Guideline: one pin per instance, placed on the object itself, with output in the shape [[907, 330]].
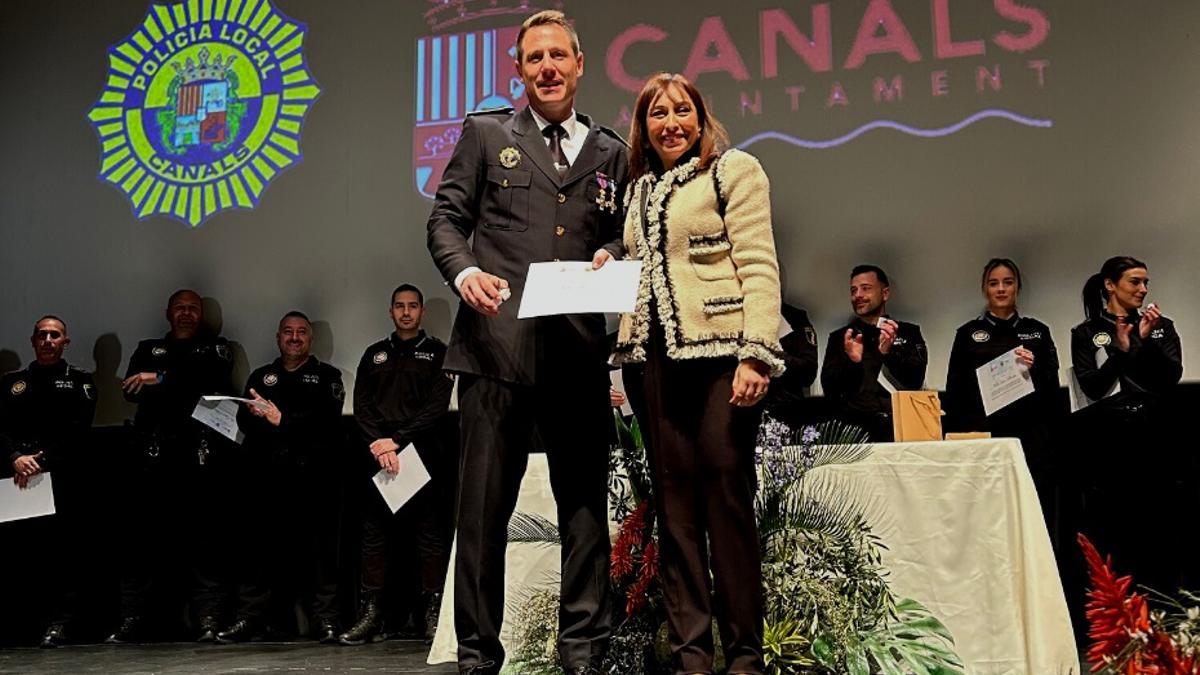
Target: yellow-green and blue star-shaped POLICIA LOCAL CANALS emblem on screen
[[203, 106]]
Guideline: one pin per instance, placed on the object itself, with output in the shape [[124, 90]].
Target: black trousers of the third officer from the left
[[290, 545]]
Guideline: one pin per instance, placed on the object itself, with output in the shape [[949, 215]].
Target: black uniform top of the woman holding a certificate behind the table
[[982, 341]]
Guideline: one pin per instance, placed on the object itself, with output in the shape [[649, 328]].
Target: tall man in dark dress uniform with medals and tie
[[543, 184]]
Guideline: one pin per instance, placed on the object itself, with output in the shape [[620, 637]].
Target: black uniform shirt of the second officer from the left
[[188, 369]]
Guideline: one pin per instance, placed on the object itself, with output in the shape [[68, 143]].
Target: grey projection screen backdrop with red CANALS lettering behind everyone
[[923, 136]]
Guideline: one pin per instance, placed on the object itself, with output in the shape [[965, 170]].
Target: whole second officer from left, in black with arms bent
[[172, 489]]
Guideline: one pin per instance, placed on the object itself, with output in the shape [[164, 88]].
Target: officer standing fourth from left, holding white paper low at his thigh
[[401, 396]]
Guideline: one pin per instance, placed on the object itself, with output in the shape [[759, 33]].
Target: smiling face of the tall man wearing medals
[[550, 69]]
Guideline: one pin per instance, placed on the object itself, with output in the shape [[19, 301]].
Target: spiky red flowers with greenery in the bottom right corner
[[1130, 637]]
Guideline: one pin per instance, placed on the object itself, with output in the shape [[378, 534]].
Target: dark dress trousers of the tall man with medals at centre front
[[499, 425]]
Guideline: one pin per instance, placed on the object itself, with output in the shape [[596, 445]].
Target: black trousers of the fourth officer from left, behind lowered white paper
[[428, 519]]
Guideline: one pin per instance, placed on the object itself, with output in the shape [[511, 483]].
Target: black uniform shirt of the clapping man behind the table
[[856, 386]]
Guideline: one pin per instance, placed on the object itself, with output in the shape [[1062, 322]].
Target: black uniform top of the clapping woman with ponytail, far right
[[1151, 366]]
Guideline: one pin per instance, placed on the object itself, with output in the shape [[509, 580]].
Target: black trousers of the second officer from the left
[[171, 537]]
